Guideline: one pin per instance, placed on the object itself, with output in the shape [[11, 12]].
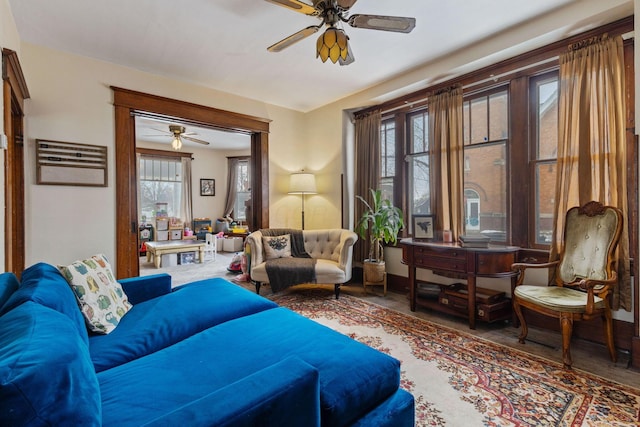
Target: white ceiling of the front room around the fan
[[222, 44]]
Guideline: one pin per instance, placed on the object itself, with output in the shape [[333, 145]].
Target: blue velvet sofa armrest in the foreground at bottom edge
[[284, 394]]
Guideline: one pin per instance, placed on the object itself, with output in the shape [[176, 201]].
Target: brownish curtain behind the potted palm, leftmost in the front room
[[367, 170]]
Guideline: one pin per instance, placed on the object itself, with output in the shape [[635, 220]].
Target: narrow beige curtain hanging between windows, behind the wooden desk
[[446, 139]]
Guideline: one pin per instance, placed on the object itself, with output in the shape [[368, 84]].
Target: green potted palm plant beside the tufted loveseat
[[380, 223]]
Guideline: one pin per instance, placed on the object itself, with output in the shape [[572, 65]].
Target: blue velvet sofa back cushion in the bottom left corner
[[46, 376]]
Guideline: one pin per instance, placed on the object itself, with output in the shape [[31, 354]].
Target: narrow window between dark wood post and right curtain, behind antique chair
[[544, 92]]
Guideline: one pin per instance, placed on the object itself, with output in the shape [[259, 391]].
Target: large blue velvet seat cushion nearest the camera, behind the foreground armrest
[[354, 378]]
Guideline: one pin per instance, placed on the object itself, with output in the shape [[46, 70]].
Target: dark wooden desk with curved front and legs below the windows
[[468, 263]]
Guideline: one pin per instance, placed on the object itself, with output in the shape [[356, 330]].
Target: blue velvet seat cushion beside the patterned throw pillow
[[160, 322]]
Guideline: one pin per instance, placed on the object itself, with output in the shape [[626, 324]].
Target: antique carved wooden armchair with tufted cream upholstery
[[585, 275]]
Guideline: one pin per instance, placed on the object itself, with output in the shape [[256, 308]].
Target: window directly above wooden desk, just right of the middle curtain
[[486, 134]]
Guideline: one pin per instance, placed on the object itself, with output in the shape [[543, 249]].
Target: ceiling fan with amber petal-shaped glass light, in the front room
[[333, 43]]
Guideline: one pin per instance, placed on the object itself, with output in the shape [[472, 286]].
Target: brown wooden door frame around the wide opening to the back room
[[128, 104]]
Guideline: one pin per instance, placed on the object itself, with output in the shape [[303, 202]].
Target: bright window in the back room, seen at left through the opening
[[160, 182]]
